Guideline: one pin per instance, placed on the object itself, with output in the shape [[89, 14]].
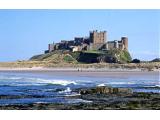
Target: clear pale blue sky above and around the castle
[[24, 33]]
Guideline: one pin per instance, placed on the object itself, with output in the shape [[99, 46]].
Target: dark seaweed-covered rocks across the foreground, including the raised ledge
[[102, 98]]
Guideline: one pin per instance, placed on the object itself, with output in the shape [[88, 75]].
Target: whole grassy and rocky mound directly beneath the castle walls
[[110, 56]]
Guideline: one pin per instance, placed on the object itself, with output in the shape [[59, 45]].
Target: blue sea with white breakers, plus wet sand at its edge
[[27, 87]]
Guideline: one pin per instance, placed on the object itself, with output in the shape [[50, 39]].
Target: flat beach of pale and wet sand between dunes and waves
[[116, 73]]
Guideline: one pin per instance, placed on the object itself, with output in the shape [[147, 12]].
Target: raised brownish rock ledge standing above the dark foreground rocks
[[106, 90]]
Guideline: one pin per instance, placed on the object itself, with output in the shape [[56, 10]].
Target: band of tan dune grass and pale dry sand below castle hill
[[94, 67]]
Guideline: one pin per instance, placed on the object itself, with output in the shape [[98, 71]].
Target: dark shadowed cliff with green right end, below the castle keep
[[111, 56]]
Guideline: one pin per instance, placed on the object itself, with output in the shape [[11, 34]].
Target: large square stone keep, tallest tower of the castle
[[98, 37]]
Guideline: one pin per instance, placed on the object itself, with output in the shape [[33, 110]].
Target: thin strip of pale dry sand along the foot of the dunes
[[73, 69]]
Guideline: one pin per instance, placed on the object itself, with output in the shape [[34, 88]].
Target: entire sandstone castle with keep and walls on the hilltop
[[95, 41]]
